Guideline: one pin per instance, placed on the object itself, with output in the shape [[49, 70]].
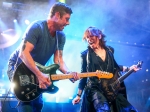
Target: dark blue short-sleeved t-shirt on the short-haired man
[[44, 44]]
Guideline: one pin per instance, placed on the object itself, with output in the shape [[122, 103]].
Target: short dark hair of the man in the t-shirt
[[62, 8]]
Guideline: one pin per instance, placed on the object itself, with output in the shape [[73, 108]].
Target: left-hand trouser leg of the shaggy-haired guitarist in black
[[94, 101]]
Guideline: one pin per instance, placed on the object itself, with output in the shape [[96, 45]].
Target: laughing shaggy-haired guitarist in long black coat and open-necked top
[[102, 95]]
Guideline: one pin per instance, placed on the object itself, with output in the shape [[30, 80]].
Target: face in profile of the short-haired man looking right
[[63, 21]]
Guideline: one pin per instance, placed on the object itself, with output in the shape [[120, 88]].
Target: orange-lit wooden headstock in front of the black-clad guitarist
[[101, 74]]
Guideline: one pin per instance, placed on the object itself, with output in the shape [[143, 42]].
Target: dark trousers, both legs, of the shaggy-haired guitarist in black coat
[[95, 101]]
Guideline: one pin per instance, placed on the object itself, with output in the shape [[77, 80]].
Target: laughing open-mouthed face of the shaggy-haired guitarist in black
[[93, 41]]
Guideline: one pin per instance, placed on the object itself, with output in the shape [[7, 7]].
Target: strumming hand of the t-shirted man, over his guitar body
[[44, 81]]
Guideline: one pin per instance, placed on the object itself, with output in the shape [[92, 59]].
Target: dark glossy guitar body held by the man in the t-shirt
[[26, 85]]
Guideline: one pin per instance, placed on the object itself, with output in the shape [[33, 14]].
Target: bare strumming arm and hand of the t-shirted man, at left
[[26, 57]]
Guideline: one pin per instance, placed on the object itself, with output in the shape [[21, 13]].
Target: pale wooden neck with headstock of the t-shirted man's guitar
[[81, 75]]
